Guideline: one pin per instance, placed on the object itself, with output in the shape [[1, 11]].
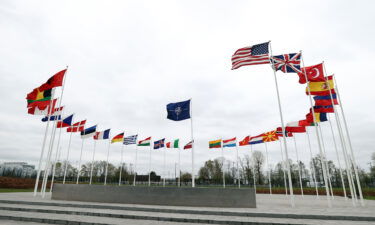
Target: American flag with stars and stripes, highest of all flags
[[253, 55]]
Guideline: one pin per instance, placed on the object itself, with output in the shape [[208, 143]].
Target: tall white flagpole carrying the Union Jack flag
[[317, 136]]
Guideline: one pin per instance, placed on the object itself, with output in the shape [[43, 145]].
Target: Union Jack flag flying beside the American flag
[[288, 63]]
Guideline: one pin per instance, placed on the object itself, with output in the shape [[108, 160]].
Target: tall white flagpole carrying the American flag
[[283, 130]]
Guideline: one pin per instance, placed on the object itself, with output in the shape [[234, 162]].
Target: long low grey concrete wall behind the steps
[[173, 196]]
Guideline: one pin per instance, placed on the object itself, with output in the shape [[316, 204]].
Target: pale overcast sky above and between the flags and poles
[[128, 59]]
